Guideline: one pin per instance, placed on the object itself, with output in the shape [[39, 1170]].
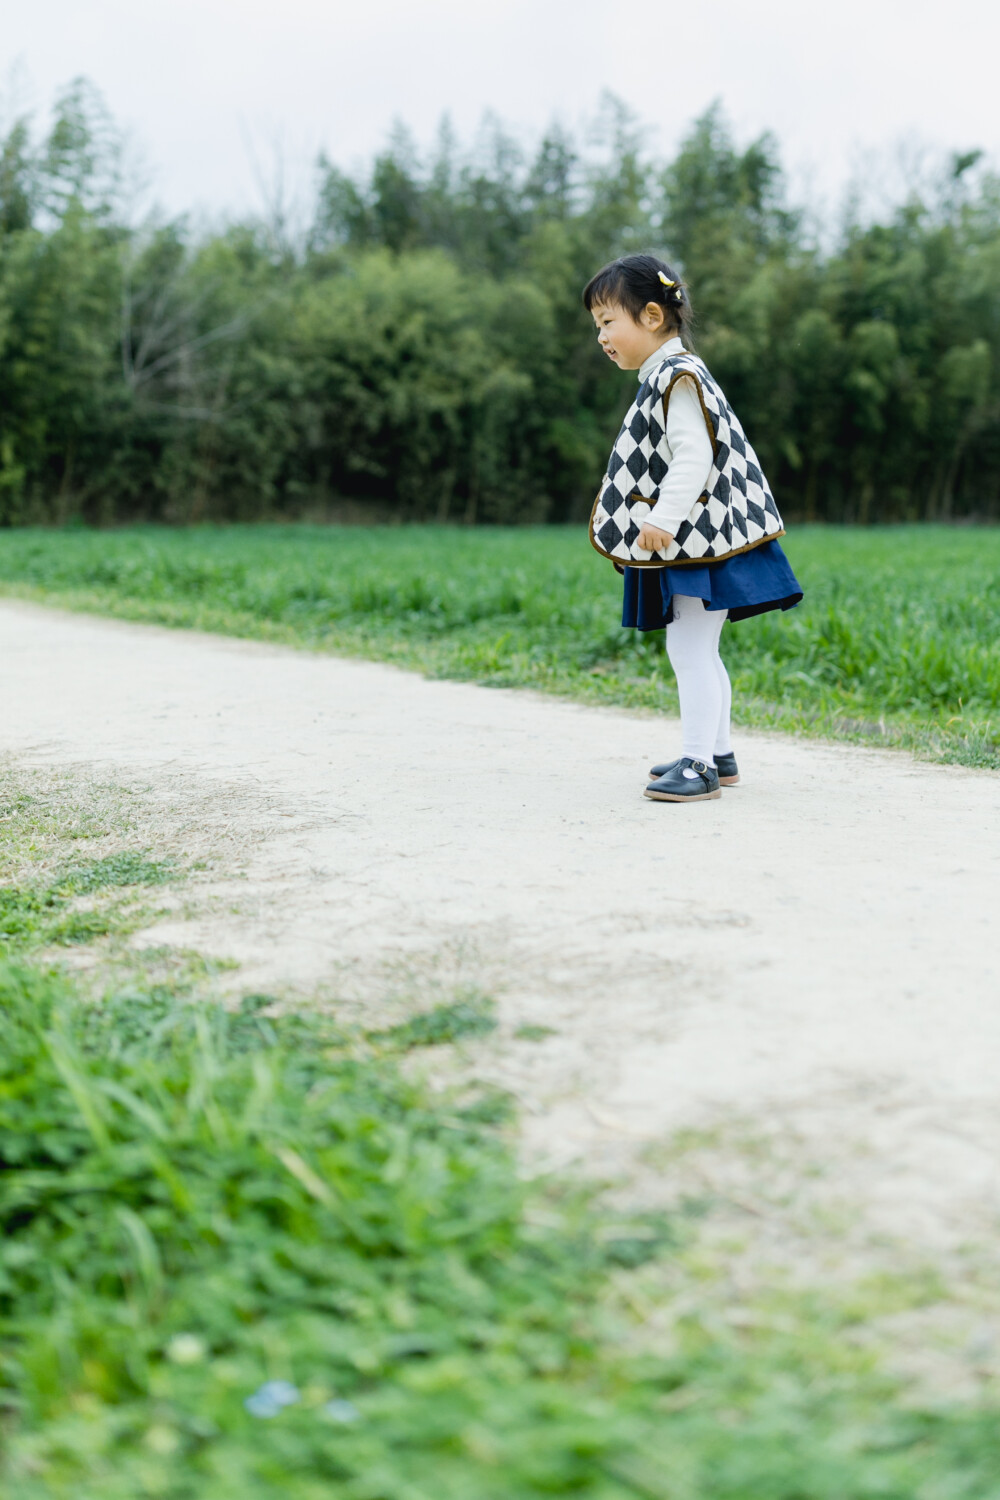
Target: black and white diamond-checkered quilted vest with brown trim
[[735, 511]]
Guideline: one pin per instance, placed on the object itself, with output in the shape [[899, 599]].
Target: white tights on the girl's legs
[[702, 679]]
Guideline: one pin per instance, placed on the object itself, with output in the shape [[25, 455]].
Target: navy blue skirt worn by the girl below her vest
[[749, 584]]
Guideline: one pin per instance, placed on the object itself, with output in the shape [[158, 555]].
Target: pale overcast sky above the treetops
[[208, 86]]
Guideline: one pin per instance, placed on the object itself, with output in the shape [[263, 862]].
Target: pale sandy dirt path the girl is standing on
[[810, 964]]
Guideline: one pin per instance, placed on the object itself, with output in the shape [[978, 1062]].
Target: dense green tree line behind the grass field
[[419, 350]]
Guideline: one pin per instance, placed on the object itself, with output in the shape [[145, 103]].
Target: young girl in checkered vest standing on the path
[[684, 514]]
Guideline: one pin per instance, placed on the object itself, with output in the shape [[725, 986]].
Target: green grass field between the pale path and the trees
[[897, 641]]
